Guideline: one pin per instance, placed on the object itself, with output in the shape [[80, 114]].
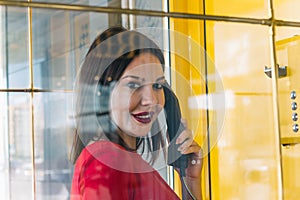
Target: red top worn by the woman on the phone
[[104, 170]]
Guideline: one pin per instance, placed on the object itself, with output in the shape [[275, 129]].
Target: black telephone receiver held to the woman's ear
[[175, 127]]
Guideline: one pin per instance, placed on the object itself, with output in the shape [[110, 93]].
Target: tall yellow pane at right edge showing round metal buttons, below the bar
[[288, 48]]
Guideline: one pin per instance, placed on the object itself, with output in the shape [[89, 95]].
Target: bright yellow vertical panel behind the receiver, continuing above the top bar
[[187, 77]]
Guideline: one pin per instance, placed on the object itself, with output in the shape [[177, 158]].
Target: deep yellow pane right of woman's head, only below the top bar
[[188, 82]]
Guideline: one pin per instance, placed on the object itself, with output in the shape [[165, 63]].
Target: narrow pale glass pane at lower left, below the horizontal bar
[[19, 131]]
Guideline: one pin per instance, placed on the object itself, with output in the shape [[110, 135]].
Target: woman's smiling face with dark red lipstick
[[138, 96]]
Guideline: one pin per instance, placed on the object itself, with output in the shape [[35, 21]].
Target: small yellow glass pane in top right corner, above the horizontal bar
[[287, 9]]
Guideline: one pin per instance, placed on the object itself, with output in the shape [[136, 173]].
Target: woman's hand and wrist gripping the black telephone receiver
[[189, 146]]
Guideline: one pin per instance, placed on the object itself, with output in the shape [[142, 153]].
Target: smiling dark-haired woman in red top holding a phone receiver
[[120, 98]]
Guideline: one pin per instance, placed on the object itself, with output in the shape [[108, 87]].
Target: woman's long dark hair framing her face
[[106, 60]]
